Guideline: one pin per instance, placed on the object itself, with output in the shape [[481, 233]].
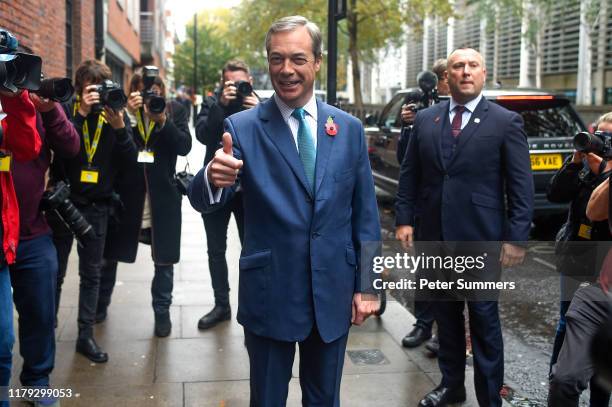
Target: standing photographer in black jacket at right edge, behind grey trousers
[[579, 258]]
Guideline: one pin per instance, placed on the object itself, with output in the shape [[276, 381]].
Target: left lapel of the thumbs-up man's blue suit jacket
[[278, 131]]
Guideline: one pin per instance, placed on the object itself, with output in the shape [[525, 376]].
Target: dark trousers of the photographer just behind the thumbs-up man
[[216, 224]]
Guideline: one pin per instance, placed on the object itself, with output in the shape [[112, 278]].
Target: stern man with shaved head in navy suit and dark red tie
[[467, 176]]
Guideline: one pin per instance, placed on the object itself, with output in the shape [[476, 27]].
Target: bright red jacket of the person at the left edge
[[21, 139]]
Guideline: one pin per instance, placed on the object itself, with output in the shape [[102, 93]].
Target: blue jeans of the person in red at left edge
[[7, 338]]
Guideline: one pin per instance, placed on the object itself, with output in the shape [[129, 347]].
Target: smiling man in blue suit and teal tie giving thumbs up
[[310, 211]]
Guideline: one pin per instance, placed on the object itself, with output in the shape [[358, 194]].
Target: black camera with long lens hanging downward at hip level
[[57, 199]]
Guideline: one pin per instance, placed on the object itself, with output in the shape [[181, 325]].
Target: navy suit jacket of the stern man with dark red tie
[[485, 193]]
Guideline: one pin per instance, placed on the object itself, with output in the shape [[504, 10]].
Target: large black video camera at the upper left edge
[[18, 70]]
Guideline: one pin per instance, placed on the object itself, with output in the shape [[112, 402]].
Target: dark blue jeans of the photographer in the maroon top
[[34, 277]]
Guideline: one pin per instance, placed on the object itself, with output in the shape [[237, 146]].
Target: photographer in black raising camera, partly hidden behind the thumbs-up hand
[[209, 129]]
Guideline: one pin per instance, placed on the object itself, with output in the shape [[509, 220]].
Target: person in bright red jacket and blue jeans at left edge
[[20, 141]]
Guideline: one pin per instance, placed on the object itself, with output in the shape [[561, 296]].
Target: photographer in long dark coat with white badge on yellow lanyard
[[150, 196]]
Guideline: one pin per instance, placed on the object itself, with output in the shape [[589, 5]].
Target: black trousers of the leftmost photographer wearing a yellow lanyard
[[90, 264]]
